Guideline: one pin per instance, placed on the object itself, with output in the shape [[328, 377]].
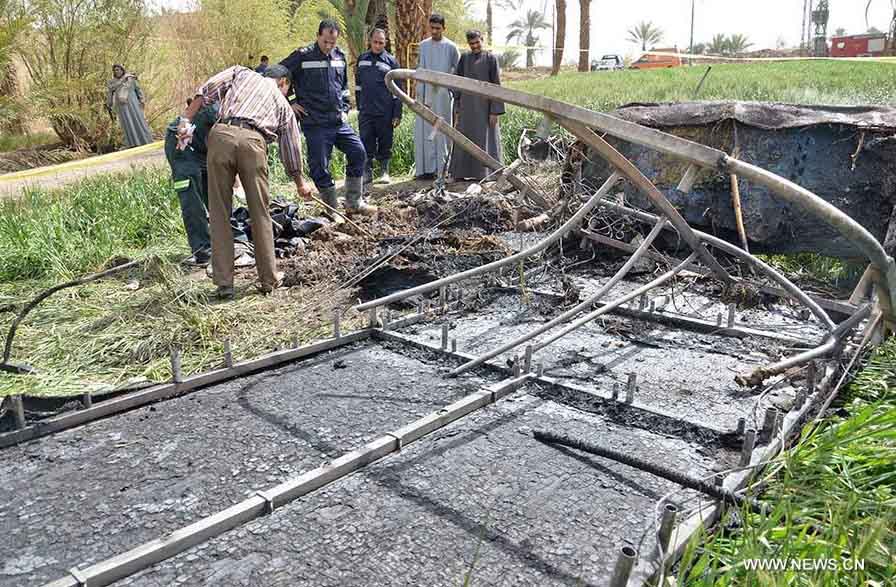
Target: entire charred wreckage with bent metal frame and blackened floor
[[683, 404]]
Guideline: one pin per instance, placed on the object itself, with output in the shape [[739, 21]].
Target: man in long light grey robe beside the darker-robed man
[[437, 54]]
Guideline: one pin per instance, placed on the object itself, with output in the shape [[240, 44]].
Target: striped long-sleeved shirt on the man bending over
[[243, 93]]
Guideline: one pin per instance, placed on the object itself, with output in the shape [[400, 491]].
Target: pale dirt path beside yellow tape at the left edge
[[55, 176]]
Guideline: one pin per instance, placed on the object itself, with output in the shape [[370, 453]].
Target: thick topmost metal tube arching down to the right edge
[[677, 147]]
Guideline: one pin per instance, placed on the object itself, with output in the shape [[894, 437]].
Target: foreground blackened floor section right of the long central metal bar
[[480, 498]]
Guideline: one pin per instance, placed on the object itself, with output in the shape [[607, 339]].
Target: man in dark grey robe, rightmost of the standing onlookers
[[477, 117]]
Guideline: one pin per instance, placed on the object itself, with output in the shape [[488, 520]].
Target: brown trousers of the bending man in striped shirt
[[235, 151]]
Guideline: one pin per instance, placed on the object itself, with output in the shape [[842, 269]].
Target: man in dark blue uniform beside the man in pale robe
[[380, 111]]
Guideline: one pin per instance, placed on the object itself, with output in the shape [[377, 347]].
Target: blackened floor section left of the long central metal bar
[[89, 493]]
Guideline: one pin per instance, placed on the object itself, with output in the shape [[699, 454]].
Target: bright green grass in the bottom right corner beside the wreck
[[833, 497]]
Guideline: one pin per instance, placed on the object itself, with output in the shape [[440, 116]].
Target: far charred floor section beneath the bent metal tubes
[[686, 374]]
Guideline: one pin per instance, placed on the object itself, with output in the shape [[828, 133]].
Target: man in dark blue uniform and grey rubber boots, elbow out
[[320, 100]]
